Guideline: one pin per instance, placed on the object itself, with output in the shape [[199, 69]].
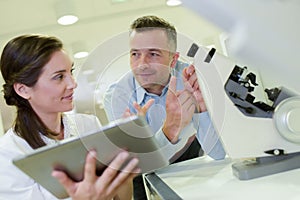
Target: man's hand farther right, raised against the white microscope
[[191, 84]]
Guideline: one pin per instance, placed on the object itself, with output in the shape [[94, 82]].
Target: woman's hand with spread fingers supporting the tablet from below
[[103, 187]]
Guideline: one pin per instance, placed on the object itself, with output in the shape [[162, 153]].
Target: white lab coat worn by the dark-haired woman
[[16, 185]]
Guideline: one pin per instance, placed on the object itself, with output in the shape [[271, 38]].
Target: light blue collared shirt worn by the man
[[125, 91]]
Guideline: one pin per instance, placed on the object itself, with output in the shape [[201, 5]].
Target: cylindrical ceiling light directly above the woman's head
[[65, 12]]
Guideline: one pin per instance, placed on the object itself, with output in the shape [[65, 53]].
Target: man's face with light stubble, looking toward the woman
[[151, 59]]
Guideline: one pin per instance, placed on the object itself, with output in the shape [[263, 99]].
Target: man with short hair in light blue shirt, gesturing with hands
[[166, 90]]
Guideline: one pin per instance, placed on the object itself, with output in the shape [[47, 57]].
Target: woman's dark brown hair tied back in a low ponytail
[[22, 61]]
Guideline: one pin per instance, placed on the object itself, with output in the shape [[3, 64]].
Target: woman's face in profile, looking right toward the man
[[54, 89]]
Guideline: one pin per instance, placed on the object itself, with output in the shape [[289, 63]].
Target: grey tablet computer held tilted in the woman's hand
[[132, 134]]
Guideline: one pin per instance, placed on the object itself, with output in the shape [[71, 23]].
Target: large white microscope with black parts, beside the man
[[253, 94]]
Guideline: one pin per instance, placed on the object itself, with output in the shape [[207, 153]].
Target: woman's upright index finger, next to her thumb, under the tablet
[[90, 167]]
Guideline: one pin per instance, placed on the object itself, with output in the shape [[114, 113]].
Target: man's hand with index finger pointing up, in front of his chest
[[180, 108]]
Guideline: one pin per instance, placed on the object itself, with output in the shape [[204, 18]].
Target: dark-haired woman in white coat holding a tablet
[[39, 82]]
